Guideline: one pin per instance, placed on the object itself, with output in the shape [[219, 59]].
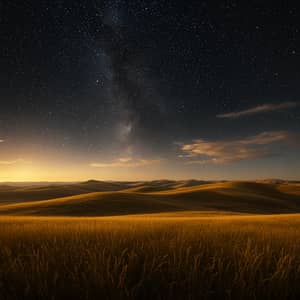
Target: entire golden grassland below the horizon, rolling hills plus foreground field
[[157, 240]]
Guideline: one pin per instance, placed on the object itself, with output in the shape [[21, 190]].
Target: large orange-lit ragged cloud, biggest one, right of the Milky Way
[[227, 151]]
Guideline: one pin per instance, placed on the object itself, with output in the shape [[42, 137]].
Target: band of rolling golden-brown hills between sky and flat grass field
[[95, 198]]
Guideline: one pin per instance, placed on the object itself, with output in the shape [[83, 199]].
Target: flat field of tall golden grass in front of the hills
[[168, 256]]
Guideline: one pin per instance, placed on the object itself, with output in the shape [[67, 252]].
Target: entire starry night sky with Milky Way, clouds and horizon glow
[[140, 90]]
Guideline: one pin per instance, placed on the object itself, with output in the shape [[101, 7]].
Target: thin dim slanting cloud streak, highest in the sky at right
[[258, 110]]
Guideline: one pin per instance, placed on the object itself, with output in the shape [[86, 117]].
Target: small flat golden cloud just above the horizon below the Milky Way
[[126, 162]]
